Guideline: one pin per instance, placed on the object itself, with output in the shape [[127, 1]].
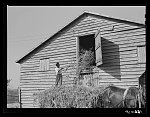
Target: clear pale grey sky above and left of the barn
[[28, 26]]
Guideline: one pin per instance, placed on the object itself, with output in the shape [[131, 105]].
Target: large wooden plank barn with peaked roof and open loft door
[[119, 50]]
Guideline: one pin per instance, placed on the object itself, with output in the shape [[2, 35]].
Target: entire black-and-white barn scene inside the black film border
[[77, 57]]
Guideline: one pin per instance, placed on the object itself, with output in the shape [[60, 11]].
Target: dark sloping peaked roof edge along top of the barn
[[85, 14]]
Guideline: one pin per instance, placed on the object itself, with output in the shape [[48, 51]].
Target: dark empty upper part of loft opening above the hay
[[87, 44]]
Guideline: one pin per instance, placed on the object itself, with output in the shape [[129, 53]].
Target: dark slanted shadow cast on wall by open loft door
[[111, 58]]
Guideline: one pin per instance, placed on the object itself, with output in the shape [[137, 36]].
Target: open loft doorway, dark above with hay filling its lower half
[[86, 51]]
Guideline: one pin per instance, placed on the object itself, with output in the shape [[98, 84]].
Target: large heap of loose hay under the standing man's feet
[[75, 96]]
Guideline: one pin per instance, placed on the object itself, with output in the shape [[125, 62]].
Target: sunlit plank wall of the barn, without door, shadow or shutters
[[119, 50]]
